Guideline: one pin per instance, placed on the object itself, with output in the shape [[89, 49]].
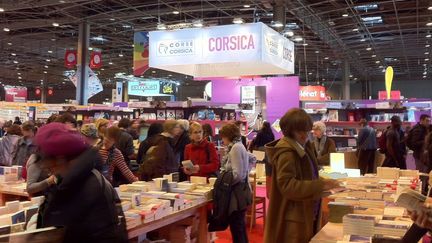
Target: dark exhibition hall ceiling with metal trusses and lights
[[370, 35]]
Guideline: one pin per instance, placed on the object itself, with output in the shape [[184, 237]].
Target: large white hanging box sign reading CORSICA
[[221, 51]]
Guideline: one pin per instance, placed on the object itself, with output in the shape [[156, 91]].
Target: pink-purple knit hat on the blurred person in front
[[56, 140]]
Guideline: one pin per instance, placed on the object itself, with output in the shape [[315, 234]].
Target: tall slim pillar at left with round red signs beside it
[[82, 63]]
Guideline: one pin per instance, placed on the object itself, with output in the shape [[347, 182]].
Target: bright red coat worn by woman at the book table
[[205, 156]]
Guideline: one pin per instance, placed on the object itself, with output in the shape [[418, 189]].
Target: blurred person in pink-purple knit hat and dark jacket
[[83, 201]]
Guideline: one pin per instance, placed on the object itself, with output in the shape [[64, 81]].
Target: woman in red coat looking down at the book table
[[202, 154]]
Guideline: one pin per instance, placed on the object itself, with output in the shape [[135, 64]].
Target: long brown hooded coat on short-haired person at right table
[[293, 195]]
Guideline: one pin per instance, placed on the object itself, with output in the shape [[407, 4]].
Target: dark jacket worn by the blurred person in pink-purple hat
[[85, 204]]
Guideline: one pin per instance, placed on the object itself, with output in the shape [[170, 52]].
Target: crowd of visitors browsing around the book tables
[[76, 166]]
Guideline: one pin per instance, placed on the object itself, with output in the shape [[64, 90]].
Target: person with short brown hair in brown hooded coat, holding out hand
[[295, 197]]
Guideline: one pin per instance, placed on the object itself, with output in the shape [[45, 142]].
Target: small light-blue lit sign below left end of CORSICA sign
[[151, 88]]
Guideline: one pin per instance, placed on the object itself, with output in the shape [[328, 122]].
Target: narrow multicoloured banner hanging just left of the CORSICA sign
[[141, 53]]
